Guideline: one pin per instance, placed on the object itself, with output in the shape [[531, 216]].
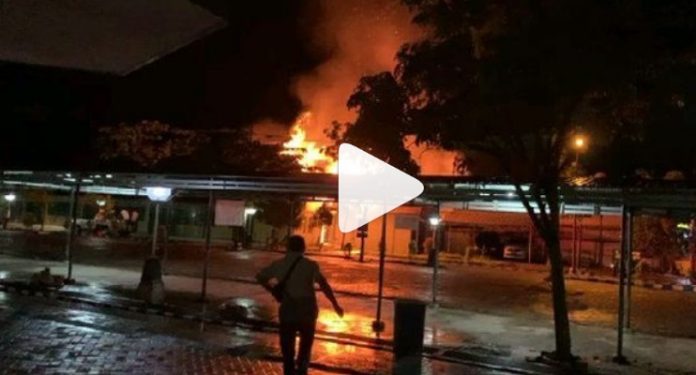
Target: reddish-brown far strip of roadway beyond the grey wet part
[[509, 291]]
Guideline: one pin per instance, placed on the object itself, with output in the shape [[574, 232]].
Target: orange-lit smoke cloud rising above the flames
[[362, 37]]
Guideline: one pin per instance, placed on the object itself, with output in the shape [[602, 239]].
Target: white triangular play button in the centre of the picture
[[369, 188]]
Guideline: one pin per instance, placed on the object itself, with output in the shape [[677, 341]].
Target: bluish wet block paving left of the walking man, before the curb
[[54, 339]]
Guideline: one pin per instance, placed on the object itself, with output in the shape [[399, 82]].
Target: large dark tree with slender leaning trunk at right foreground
[[515, 80]]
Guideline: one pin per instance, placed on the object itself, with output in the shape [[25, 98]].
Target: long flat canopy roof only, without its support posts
[[466, 193]]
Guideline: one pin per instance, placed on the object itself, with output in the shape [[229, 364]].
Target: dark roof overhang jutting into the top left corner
[[105, 36]]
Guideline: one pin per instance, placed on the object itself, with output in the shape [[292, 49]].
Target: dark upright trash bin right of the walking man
[[409, 324]]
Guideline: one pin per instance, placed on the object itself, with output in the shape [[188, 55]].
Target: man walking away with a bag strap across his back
[[291, 281]]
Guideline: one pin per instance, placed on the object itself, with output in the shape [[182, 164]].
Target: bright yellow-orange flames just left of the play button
[[311, 157]]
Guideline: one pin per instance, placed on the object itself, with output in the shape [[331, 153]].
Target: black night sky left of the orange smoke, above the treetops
[[233, 78]]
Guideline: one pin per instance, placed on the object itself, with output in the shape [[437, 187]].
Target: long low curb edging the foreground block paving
[[432, 353]]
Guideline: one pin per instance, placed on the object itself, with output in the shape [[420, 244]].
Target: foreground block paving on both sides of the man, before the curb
[[49, 337]]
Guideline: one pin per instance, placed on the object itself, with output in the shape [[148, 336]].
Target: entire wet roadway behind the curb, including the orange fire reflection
[[502, 316]]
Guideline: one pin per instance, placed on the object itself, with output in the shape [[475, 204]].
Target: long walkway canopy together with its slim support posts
[[660, 197]]
